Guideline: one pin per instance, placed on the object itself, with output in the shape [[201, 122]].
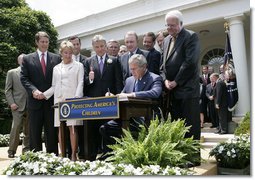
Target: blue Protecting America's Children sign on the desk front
[[89, 108]]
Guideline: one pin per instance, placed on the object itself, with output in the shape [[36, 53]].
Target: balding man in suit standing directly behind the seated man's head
[[131, 41]]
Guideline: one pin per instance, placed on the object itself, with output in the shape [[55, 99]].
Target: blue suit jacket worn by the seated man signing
[[151, 86]]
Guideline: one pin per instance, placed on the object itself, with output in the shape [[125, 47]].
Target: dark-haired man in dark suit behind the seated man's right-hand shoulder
[[154, 57]]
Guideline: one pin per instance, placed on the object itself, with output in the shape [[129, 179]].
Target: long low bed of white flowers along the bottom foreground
[[41, 163]]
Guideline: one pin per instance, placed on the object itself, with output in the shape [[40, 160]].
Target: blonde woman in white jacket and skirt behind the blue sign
[[67, 82]]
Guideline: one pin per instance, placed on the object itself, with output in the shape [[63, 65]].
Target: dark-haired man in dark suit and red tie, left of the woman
[[36, 77]]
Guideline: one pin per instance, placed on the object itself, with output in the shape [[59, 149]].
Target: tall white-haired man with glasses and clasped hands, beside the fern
[[180, 72]]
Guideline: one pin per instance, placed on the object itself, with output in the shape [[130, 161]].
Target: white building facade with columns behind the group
[[205, 17]]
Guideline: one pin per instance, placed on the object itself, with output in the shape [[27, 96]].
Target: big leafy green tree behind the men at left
[[18, 27]]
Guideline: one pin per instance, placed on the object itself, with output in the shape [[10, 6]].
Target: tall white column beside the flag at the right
[[237, 41]]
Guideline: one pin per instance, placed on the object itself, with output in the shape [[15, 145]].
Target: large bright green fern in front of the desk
[[163, 144]]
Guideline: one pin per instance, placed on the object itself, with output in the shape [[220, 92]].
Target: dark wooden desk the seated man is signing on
[[129, 107]]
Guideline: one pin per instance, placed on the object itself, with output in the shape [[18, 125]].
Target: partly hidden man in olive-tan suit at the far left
[[16, 97]]
